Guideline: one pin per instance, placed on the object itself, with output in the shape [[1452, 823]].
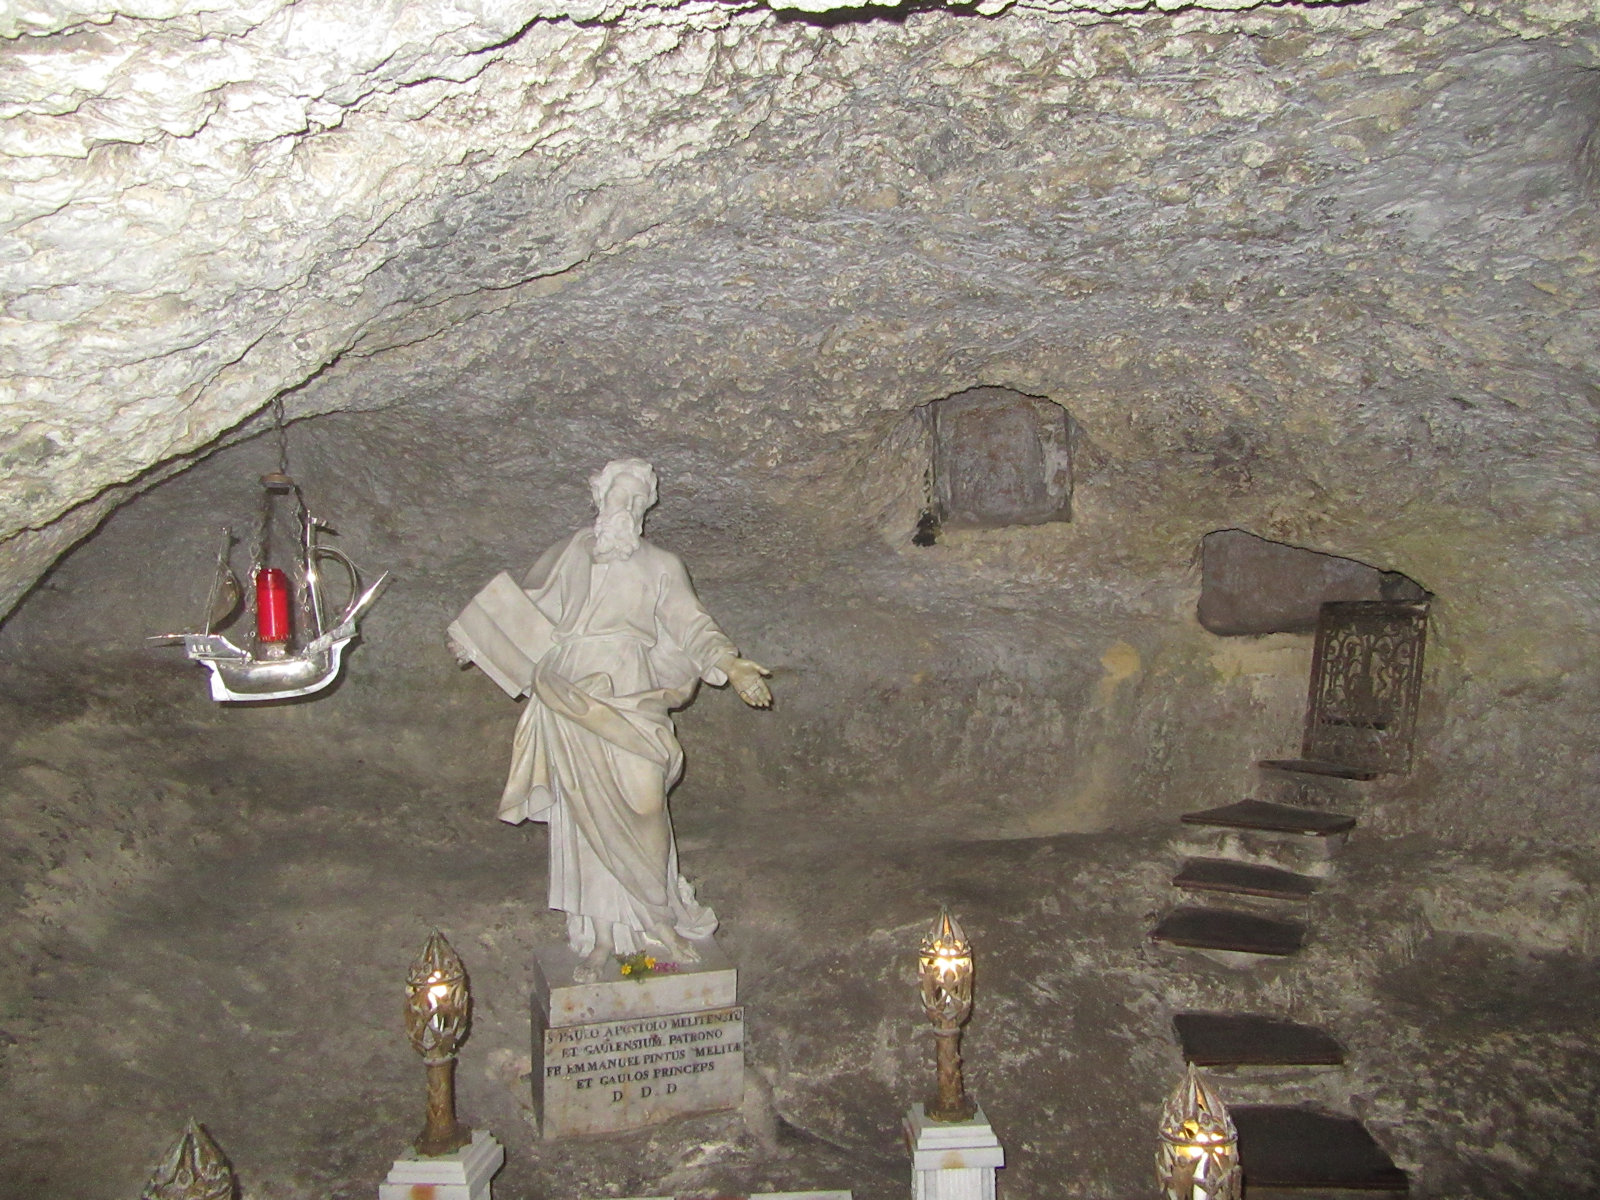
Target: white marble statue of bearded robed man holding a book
[[612, 642]]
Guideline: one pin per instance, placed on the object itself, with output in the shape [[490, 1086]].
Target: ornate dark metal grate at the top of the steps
[[1366, 684]]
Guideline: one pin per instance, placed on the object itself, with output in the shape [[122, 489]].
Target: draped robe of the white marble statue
[[596, 754]]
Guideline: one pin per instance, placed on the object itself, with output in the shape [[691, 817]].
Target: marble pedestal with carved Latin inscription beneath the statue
[[622, 1054]]
